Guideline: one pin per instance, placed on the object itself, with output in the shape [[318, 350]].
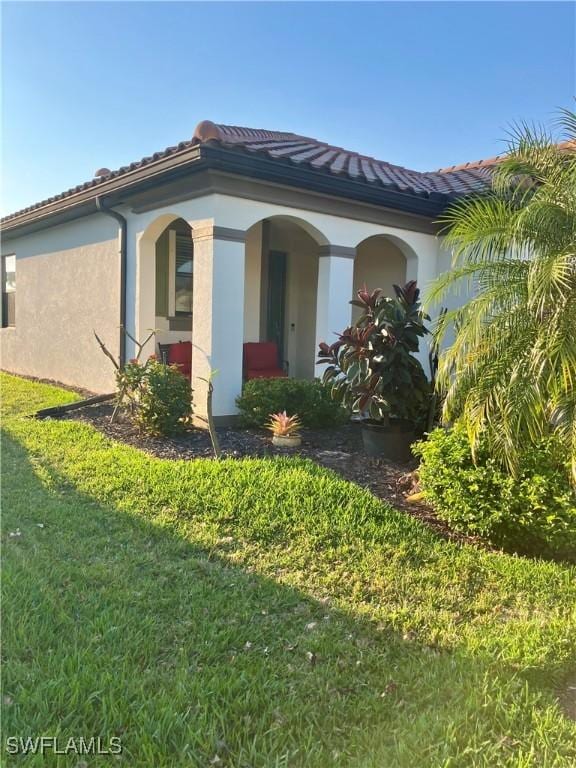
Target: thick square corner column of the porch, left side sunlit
[[218, 317]]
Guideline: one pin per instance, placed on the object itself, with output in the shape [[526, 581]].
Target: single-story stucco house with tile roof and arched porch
[[237, 235]]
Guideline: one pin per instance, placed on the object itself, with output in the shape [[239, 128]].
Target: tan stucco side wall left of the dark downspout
[[67, 285]]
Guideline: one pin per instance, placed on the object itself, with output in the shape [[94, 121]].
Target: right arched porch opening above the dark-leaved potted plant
[[380, 263]]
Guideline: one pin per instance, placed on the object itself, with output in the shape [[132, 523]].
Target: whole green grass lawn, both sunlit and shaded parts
[[261, 613]]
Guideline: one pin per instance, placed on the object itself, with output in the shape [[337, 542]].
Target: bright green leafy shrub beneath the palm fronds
[[532, 514]]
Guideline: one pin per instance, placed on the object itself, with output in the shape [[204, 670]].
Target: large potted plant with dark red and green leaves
[[372, 369]]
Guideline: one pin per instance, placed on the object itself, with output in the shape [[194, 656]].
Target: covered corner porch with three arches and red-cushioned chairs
[[282, 280]]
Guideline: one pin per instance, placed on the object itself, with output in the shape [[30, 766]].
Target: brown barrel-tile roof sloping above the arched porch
[[299, 151]]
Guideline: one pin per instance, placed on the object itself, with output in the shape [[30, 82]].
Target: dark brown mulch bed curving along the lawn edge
[[339, 449]]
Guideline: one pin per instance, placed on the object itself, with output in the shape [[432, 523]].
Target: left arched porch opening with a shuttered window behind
[[165, 277]]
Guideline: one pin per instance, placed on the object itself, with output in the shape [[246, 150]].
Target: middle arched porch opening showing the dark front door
[[281, 280]]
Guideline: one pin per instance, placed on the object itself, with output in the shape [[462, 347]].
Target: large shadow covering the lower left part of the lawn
[[120, 627]]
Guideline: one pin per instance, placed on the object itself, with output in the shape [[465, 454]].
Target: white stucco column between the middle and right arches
[[335, 287]]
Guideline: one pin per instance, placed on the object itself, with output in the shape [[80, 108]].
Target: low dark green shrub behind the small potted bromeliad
[[311, 400]]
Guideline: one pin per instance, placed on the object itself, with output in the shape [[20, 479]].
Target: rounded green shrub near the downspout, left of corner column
[[159, 397]]
